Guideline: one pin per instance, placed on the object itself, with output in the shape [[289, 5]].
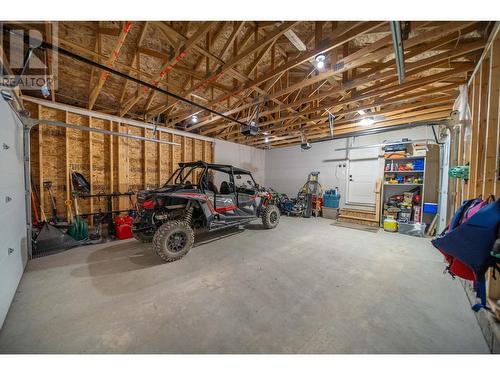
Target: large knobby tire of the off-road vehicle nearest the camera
[[173, 240]]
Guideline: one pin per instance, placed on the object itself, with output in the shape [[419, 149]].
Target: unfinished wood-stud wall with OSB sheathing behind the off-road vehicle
[[110, 163]]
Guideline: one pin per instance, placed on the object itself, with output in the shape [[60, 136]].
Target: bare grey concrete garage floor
[[306, 287]]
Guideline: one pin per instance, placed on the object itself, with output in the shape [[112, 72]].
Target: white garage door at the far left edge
[[13, 237]]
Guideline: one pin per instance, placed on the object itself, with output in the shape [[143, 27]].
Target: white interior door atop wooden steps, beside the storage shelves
[[361, 180]]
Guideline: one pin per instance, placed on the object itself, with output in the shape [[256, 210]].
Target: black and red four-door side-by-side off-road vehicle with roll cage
[[190, 200]]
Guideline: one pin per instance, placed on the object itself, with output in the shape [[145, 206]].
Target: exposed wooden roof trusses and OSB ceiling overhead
[[233, 67]]
